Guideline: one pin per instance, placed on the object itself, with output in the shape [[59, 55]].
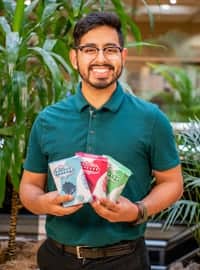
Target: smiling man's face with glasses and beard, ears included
[[99, 68]]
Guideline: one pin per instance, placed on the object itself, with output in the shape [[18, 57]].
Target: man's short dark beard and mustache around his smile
[[100, 83]]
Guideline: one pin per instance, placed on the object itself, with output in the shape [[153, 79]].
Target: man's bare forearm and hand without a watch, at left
[[36, 200]]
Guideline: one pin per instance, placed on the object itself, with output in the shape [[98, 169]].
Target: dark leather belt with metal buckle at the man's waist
[[82, 252]]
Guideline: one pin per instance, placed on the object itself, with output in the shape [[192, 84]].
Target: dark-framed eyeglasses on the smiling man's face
[[92, 51]]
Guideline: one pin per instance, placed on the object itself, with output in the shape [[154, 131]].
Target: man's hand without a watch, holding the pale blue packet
[[51, 203]]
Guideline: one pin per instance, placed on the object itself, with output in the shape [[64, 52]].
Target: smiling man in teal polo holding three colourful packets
[[104, 120]]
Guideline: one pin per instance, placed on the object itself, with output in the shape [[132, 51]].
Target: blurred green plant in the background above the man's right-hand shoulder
[[182, 101]]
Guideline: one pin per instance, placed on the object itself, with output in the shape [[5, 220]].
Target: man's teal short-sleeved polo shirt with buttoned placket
[[132, 131]]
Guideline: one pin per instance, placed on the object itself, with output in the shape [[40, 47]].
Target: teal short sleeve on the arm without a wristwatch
[[36, 160]]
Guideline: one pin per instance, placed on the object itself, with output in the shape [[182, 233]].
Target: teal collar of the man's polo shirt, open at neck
[[112, 104]]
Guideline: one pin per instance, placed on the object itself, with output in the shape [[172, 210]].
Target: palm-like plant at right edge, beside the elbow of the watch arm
[[187, 210]]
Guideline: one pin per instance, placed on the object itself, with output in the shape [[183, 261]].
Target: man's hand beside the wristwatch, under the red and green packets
[[121, 211]]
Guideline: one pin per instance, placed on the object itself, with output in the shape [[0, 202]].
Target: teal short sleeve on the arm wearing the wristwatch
[[164, 154]]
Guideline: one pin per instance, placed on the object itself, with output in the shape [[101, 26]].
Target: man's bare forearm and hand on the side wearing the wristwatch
[[167, 190]]
